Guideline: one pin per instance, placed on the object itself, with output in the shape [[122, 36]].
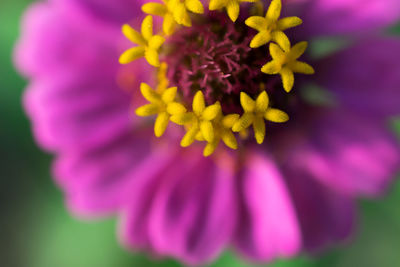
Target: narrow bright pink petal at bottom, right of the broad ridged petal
[[269, 226]]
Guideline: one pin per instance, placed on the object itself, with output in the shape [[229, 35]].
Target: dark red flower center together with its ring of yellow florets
[[224, 74]]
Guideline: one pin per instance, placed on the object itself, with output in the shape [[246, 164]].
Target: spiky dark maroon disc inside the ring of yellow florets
[[213, 56]]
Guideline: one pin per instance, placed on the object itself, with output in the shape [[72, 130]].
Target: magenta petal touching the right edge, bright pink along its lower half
[[353, 154]]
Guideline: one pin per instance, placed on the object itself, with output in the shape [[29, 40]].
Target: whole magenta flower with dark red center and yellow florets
[[294, 192]]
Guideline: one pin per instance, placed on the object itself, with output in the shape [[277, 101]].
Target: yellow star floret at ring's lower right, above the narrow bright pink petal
[[254, 114]]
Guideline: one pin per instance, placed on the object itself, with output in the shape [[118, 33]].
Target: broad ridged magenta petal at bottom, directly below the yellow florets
[[187, 211]]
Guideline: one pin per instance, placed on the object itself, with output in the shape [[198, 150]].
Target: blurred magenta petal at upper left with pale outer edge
[[53, 40]]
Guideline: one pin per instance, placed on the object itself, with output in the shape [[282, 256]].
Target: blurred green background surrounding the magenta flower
[[37, 231]]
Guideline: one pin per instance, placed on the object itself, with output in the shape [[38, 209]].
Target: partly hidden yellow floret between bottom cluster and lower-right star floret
[[222, 131]]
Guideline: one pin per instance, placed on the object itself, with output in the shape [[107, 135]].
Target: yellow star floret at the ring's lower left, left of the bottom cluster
[[161, 104]]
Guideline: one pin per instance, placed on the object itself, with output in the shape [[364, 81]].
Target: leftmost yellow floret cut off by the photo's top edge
[[174, 12]]
